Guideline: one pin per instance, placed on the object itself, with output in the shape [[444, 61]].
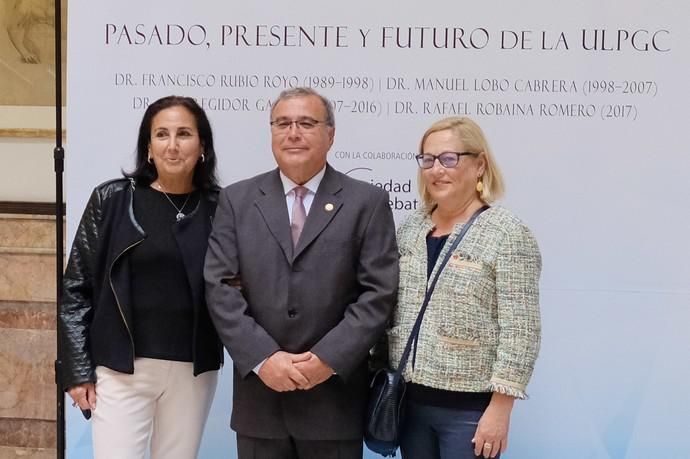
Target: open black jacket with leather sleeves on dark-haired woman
[[95, 316]]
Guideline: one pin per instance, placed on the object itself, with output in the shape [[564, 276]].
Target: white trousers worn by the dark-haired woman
[[161, 405]]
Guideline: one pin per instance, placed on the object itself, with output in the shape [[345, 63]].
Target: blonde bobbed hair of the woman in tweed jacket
[[472, 137]]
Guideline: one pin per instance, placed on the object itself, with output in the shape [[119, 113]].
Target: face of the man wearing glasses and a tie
[[300, 137]]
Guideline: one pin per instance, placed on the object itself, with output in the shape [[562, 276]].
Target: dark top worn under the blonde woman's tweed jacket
[[438, 397]]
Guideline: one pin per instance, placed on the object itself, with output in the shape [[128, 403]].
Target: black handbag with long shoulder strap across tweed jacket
[[386, 407]]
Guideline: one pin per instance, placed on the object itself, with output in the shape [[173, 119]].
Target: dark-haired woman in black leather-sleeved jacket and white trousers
[[140, 351]]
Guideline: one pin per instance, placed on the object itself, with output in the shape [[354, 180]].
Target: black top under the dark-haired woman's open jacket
[[162, 308]]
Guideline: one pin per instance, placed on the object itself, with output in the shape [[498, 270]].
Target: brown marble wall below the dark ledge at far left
[[27, 337]]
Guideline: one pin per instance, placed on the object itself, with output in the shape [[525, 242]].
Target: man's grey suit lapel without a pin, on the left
[[274, 212]]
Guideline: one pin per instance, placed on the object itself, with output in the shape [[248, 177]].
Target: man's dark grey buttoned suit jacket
[[331, 295]]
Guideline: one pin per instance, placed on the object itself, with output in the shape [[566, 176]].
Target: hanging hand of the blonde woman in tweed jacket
[[491, 436]]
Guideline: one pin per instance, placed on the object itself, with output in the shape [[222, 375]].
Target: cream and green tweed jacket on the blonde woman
[[481, 330]]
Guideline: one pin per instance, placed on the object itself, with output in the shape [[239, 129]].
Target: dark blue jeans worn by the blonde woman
[[431, 432]]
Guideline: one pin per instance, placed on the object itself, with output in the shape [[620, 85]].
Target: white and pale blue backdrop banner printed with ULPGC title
[[585, 105]]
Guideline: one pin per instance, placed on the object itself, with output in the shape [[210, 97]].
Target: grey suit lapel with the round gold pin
[[326, 204]]
